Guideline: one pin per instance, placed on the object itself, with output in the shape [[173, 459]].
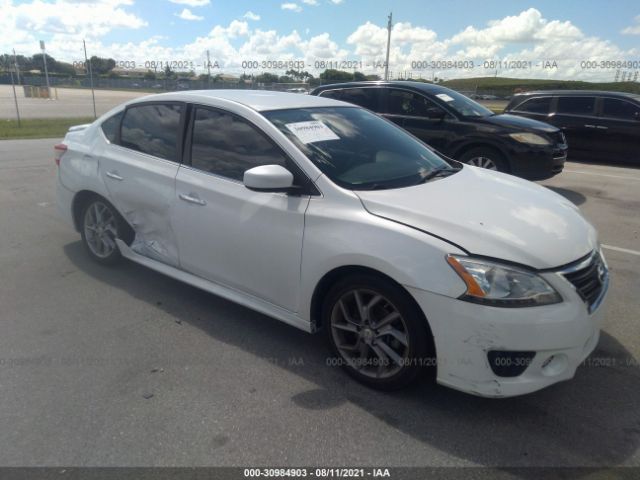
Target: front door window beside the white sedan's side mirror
[[227, 145]]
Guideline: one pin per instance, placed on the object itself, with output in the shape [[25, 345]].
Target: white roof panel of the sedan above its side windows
[[259, 100]]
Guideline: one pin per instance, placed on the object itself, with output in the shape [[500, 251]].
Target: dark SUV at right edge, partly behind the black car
[[598, 125]]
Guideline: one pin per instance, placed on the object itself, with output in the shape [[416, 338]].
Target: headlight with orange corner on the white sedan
[[500, 285]]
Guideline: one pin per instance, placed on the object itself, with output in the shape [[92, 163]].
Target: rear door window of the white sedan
[[152, 129]]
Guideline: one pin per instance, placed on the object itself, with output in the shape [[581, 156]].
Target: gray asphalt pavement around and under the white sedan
[[83, 348]]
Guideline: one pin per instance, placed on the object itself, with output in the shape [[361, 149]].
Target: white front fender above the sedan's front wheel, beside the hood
[[339, 232]]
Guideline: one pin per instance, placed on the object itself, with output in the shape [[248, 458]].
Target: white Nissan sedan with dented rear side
[[330, 218]]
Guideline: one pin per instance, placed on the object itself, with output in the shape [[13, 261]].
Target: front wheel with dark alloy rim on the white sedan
[[369, 340]]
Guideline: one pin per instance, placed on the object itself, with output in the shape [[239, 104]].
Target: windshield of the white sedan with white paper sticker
[[356, 148]]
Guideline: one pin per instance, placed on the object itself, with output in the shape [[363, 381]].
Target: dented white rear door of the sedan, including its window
[[139, 173]]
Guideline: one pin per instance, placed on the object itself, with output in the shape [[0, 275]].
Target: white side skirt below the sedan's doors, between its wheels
[[230, 294]]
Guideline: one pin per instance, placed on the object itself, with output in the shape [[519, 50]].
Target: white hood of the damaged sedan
[[491, 214]]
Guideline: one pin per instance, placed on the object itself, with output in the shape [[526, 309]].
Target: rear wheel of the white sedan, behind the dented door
[[100, 225]]
